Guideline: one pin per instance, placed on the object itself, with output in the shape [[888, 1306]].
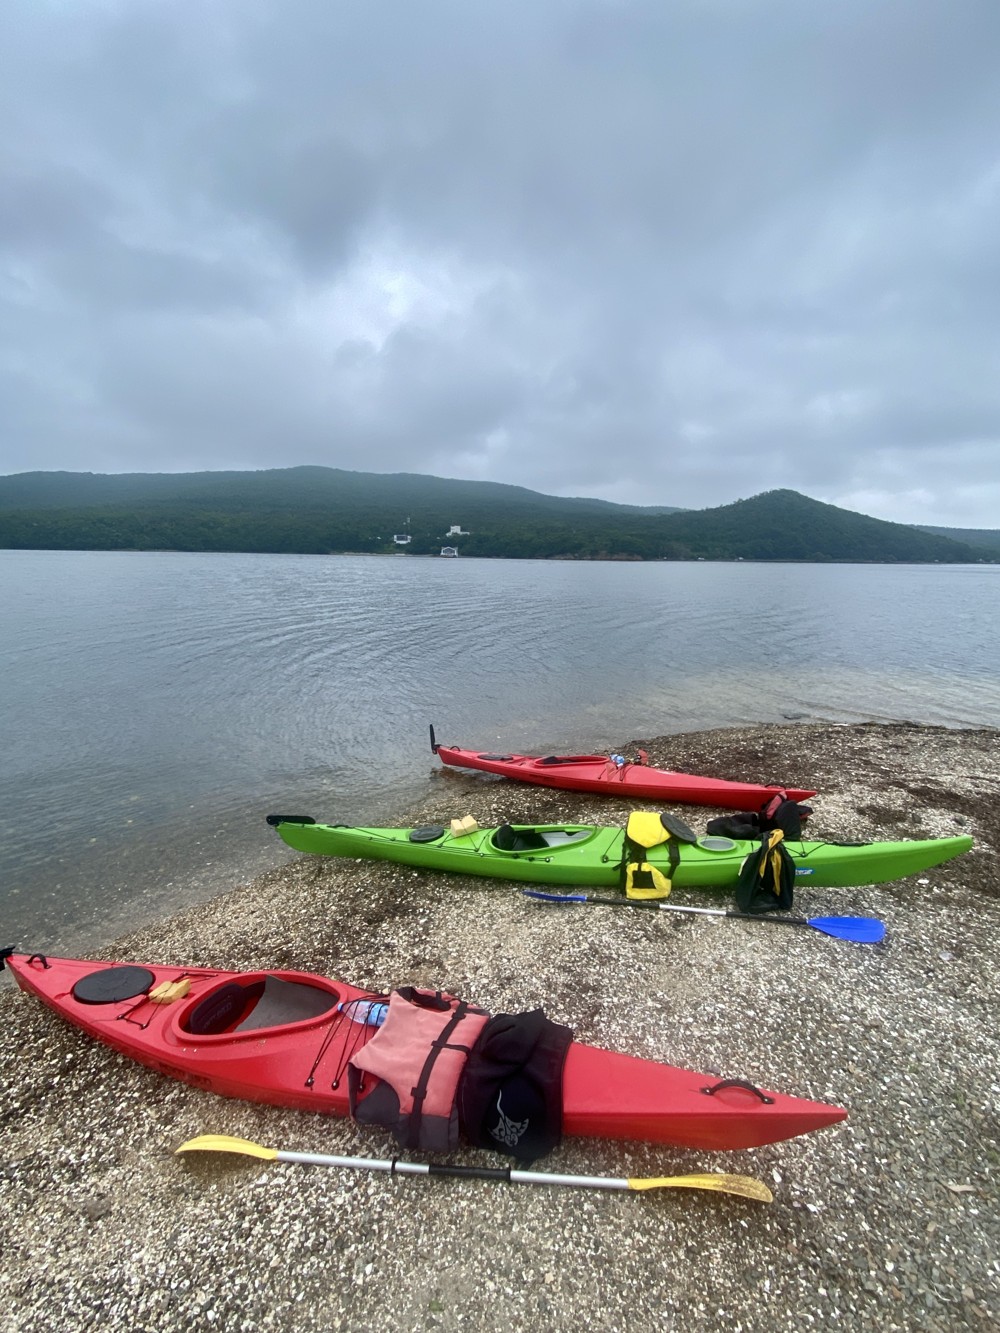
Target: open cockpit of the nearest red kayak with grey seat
[[254, 1004]]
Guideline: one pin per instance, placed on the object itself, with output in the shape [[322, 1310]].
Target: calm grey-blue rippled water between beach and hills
[[157, 707]]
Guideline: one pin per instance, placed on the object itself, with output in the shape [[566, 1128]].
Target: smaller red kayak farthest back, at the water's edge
[[618, 776]]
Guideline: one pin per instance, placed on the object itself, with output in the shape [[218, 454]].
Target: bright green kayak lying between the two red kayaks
[[583, 855]]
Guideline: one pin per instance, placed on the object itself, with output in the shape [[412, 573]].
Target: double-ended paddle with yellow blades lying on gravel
[[743, 1186]]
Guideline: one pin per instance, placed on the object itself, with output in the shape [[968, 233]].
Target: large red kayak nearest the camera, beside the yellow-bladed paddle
[[286, 1038]]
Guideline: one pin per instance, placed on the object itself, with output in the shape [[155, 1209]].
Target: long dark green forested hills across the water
[[322, 511]]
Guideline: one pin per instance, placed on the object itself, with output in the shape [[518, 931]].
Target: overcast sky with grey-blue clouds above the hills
[[661, 253]]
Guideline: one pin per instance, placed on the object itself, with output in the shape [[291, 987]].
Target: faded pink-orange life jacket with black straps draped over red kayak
[[417, 1059]]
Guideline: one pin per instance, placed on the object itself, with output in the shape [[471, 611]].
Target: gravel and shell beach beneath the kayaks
[[887, 1222]]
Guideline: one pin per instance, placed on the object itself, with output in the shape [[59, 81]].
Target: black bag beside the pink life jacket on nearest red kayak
[[511, 1090]]
